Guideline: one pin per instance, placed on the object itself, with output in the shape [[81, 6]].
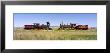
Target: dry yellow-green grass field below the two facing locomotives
[[21, 34]]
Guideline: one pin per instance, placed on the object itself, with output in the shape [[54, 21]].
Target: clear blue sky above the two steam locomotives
[[21, 19]]
